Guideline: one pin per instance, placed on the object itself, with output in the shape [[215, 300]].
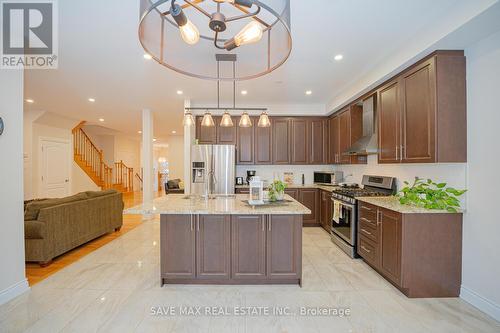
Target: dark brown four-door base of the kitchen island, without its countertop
[[231, 249]]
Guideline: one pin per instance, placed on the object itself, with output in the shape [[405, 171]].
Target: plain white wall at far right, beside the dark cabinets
[[481, 251]]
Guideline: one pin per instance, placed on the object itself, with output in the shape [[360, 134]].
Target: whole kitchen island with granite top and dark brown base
[[226, 241]]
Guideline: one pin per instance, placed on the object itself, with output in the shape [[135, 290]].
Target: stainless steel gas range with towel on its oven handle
[[345, 208]]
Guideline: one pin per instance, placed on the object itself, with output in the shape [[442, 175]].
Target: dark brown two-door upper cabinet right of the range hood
[[422, 112]]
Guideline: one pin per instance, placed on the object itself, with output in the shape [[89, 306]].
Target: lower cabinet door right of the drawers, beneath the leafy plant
[[390, 244]]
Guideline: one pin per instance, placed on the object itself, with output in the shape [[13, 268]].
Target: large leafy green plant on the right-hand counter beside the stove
[[430, 195]]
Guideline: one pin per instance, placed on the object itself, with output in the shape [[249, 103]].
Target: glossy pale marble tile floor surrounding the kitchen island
[[114, 289]]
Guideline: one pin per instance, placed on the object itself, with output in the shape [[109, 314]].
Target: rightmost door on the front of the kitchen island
[[284, 250]]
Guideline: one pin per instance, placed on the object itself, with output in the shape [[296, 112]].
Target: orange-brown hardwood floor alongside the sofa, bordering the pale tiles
[[35, 273]]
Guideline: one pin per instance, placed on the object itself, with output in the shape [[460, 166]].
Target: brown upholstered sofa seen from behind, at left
[[55, 226]]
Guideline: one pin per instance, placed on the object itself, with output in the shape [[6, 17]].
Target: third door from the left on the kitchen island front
[[248, 247]]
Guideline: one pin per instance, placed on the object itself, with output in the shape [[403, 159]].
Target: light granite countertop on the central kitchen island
[[182, 204]]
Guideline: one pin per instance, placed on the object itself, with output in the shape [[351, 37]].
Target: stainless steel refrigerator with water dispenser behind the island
[[213, 169]]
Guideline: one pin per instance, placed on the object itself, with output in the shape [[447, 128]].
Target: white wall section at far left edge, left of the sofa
[[12, 277]]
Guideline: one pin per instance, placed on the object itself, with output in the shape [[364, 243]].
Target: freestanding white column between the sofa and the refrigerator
[[147, 155]]
